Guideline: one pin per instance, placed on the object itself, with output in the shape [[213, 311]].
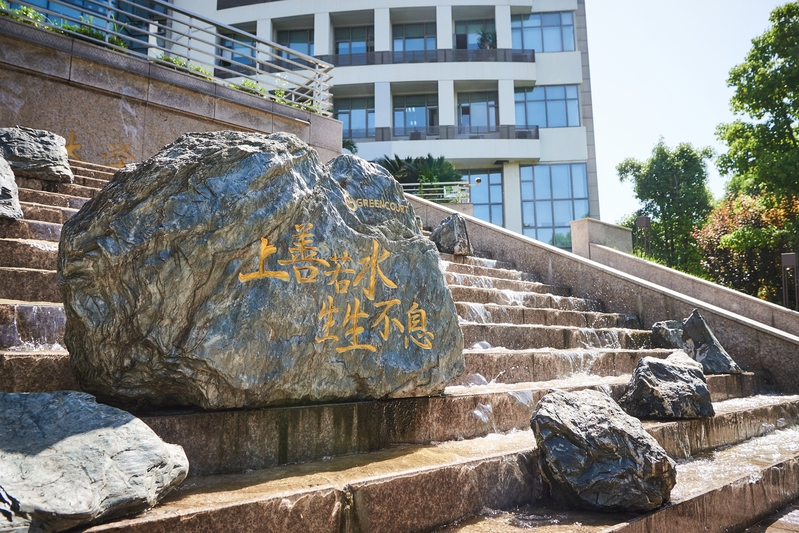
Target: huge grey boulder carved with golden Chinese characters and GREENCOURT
[[233, 270]]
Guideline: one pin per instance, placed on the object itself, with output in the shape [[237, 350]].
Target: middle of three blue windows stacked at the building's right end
[[551, 106]]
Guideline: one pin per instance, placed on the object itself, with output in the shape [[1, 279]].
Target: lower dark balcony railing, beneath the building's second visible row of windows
[[443, 132]]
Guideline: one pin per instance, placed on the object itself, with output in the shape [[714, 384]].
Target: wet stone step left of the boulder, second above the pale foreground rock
[[31, 326]]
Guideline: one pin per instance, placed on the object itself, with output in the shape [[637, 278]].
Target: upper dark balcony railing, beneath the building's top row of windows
[[430, 56]]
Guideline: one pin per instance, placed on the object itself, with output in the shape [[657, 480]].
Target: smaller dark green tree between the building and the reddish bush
[[672, 187]]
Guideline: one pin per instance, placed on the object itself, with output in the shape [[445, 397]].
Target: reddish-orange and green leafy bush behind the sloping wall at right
[[743, 239]]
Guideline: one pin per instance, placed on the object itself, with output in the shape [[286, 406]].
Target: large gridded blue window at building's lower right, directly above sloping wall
[[552, 196]]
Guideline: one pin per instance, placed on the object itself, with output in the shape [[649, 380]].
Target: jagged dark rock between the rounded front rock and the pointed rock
[[671, 388]]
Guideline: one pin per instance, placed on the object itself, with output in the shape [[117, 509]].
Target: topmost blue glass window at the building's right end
[[543, 32]]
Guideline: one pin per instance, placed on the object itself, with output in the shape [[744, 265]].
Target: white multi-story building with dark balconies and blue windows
[[501, 88]]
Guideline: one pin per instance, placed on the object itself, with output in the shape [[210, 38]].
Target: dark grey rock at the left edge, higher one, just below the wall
[[36, 154]]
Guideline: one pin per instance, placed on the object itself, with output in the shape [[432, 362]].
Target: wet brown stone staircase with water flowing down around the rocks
[[463, 461]]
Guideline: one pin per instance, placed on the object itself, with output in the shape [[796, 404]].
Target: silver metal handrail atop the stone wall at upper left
[[188, 42]]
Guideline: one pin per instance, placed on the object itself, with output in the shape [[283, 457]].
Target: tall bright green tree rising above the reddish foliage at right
[[763, 154]]
